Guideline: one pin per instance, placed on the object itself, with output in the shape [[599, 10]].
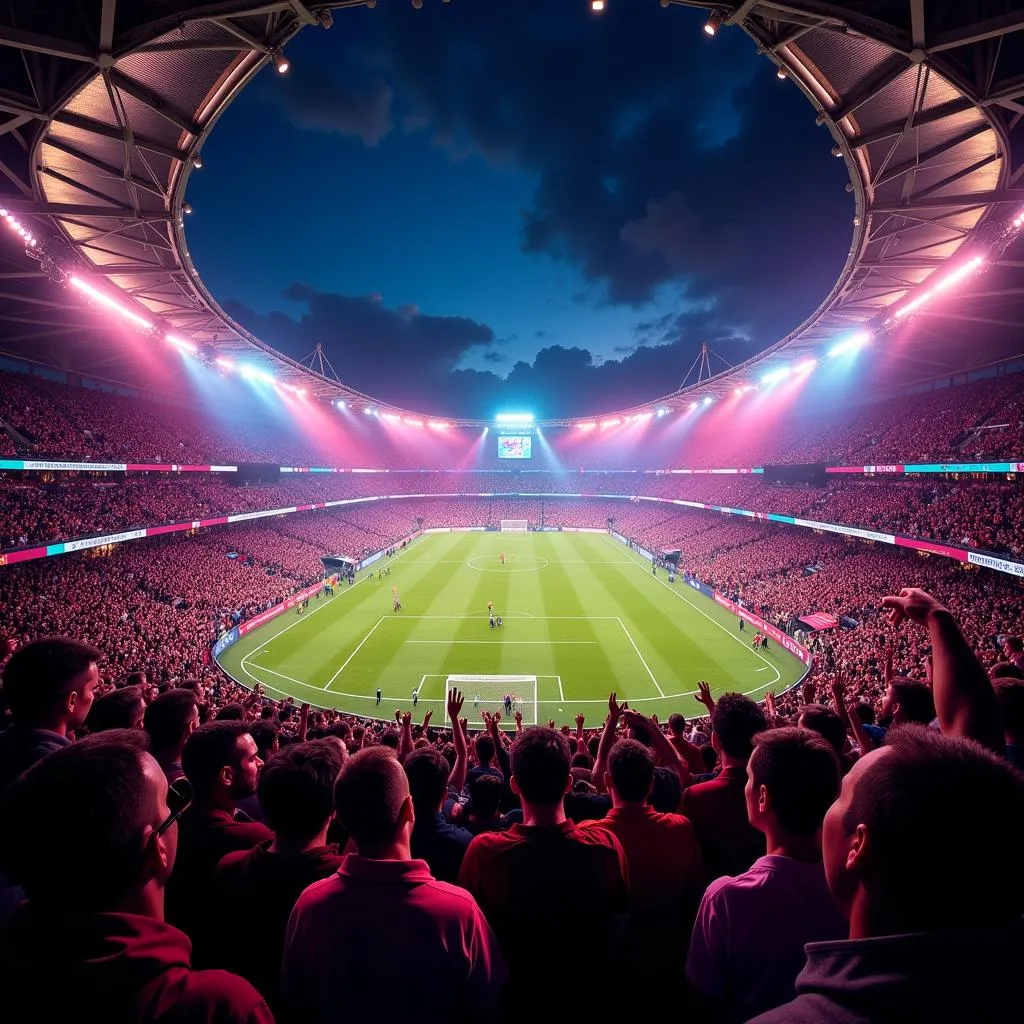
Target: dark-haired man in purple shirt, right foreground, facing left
[[748, 945]]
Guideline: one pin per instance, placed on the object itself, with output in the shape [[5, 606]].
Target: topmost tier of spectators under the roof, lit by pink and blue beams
[[982, 421]]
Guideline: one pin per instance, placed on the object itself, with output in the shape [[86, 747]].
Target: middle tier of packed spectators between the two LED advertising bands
[[972, 514]]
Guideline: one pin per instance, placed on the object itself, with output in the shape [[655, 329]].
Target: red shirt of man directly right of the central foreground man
[[667, 879]]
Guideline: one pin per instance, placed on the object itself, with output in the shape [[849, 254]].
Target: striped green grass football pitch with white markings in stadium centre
[[582, 613]]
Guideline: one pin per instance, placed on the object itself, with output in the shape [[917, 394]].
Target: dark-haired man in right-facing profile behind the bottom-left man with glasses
[[221, 761]]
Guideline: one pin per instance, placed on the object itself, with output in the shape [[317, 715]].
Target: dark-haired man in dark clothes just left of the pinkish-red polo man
[[254, 891]]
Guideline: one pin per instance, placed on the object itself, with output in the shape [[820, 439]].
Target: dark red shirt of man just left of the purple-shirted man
[[730, 843]]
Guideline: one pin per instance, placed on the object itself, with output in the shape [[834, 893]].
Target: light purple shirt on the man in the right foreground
[[748, 945]]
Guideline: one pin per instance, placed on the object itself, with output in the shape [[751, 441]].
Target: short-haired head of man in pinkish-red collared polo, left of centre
[[369, 796]]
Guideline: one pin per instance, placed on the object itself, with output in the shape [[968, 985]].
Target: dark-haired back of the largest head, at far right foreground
[[944, 823]]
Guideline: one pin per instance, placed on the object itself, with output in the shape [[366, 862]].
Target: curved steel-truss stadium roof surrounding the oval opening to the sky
[[110, 102]]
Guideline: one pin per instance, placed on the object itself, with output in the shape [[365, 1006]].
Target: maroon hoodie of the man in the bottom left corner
[[116, 968]]
